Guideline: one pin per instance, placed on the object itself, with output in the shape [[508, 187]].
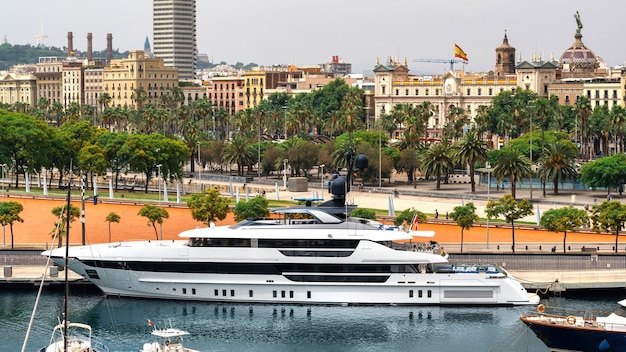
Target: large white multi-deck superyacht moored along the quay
[[302, 255]]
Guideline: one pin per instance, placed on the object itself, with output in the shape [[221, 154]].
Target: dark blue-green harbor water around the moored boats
[[122, 324]]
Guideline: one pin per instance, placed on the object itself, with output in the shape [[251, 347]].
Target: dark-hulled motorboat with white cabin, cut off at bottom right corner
[[580, 332]]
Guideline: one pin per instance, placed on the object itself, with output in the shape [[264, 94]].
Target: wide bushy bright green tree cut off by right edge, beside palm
[[608, 172]]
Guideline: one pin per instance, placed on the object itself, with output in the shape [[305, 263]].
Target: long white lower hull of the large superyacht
[[396, 289]]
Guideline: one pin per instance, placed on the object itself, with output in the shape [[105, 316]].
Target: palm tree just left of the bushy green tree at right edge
[[557, 165]]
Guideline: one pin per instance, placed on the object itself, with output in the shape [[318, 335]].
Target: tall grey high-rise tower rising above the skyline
[[174, 31]]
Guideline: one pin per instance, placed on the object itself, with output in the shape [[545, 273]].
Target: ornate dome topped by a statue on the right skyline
[[578, 58]]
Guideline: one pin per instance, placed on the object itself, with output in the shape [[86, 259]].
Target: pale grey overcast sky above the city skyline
[[306, 32]]
